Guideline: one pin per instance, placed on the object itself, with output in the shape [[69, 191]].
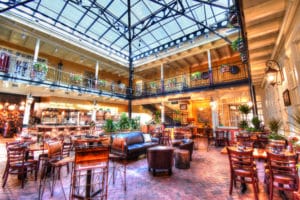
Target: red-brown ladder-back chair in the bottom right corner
[[282, 173]]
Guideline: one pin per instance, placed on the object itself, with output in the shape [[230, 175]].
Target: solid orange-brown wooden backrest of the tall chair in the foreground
[[91, 155]]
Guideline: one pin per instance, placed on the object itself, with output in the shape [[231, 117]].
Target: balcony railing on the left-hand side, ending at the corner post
[[23, 69]]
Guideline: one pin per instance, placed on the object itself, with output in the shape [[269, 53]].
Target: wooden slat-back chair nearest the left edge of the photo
[[17, 163]]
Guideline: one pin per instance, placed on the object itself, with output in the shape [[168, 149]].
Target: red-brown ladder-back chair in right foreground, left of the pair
[[242, 169]]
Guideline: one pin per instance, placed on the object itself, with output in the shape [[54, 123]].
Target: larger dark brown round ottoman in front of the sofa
[[160, 157]]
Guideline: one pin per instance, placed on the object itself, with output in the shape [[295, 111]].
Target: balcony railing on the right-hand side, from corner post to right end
[[219, 76]]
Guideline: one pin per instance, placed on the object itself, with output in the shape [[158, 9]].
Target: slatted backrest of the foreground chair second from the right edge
[[241, 159]]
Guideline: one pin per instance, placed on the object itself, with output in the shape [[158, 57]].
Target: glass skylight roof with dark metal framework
[[156, 25]]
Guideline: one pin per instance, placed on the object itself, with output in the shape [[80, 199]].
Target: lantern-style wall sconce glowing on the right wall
[[274, 74]]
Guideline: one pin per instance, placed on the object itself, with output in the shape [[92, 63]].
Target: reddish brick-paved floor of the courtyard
[[207, 178]]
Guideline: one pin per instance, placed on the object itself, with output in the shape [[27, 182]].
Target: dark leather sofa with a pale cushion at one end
[[132, 144]]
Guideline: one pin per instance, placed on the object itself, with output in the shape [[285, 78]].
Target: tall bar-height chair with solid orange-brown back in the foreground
[[90, 173]]
